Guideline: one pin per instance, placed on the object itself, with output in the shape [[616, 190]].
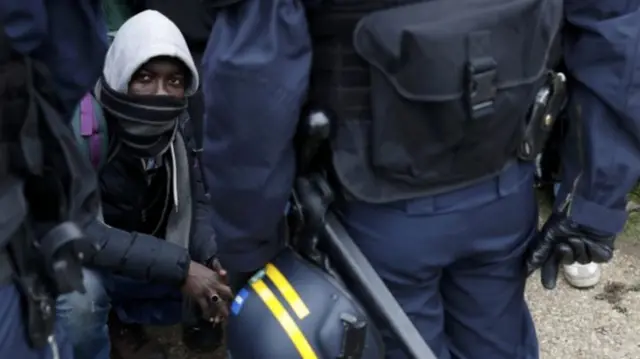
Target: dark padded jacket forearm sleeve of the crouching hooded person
[[137, 255]]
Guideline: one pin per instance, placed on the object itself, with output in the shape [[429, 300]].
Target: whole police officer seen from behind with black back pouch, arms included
[[433, 191]]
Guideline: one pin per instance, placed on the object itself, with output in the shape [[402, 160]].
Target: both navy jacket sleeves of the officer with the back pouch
[[254, 86]]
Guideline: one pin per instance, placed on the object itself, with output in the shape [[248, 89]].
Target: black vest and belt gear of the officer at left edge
[[38, 195]]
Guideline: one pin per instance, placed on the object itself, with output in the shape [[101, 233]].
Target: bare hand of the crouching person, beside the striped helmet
[[208, 288]]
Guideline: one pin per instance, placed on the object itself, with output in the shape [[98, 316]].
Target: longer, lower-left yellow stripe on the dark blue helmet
[[286, 321]]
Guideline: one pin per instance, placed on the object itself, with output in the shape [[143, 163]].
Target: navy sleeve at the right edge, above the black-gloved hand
[[601, 156]]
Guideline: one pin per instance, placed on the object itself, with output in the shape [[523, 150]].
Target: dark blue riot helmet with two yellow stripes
[[294, 309]]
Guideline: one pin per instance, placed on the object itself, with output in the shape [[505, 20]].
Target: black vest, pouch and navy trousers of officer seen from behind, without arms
[[425, 153]]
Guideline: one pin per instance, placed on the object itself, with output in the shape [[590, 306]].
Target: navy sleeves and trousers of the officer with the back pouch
[[454, 261]]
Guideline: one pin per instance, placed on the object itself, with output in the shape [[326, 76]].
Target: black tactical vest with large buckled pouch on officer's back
[[432, 96]]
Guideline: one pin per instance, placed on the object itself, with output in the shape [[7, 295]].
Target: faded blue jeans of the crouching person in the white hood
[[85, 316]]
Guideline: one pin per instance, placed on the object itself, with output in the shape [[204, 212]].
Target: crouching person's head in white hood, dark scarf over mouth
[[148, 73]]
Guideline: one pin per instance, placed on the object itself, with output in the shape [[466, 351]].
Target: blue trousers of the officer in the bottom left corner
[[13, 341]]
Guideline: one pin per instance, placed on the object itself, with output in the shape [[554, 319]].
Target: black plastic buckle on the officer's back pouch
[[481, 86]]
